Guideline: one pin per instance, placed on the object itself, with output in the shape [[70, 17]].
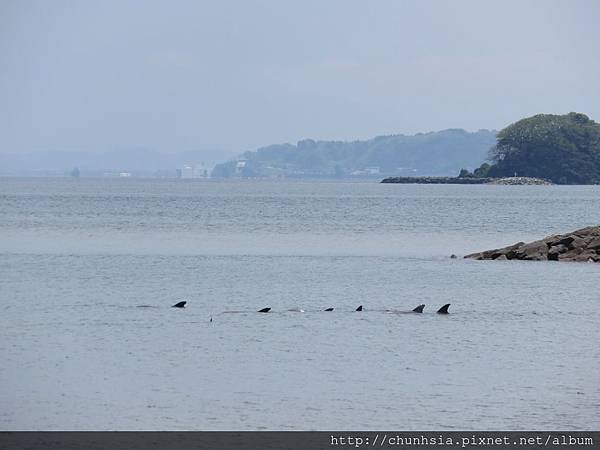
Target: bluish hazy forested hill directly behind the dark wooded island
[[441, 153]]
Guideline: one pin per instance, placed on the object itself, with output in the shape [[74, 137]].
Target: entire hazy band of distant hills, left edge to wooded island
[[442, 153]]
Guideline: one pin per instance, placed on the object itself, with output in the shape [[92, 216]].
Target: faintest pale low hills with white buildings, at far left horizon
[[140, 162]]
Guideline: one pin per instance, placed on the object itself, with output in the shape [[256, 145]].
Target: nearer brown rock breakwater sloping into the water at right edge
[[581, 245]]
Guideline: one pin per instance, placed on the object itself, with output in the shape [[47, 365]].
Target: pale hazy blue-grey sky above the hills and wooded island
[[185, 75]]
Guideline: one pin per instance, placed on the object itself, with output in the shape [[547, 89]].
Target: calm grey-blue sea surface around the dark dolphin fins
[[89, 269]]
